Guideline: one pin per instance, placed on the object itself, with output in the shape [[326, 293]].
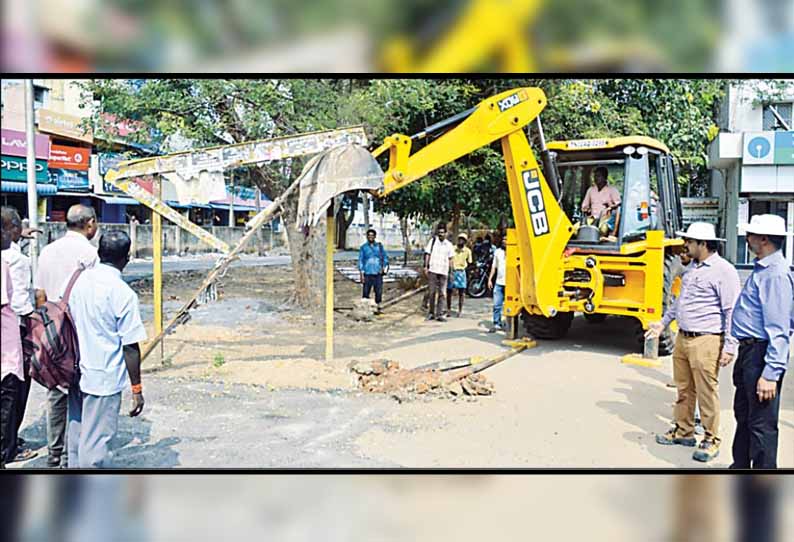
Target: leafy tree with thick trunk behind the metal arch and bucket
[[217, 111]]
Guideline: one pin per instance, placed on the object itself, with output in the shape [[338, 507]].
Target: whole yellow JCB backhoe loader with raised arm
[[555, 265]]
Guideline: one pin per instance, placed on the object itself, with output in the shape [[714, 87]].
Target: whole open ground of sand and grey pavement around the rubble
[[244, 384]]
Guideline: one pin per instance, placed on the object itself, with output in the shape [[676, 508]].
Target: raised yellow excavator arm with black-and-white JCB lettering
[[542, 228]]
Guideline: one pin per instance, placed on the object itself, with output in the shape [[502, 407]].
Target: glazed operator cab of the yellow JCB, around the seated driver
[[642, 172]]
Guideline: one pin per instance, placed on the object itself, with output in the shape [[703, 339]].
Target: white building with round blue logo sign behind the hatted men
[[752, 165]]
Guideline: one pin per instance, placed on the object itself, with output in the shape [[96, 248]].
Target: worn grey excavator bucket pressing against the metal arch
[[334, 172]]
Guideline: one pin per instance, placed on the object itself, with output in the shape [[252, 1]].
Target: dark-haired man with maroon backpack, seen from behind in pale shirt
[[109, 327]]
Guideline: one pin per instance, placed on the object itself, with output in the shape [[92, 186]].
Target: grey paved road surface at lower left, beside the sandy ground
[[194, 423]]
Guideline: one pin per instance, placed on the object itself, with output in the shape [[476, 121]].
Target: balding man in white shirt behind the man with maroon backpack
[[57, 263]]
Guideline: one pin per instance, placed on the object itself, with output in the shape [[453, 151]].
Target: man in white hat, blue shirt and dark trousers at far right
[[763, 321]]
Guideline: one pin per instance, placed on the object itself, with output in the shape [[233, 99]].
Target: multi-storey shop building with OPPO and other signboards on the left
[[73, 156]]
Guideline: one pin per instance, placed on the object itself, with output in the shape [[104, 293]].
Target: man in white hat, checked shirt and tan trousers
[[709, 288]]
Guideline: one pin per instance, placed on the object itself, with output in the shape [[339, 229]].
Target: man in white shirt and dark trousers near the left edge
[[22, 304]]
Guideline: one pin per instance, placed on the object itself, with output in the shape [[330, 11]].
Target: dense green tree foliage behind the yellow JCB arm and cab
[[680, 113]]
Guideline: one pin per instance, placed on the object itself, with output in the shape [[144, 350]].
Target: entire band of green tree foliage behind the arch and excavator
[[678, 112]]
